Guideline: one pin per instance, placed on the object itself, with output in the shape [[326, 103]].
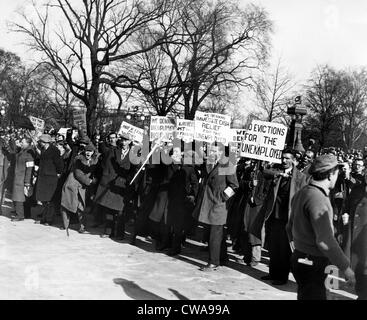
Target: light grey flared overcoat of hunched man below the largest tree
[[75, 186]]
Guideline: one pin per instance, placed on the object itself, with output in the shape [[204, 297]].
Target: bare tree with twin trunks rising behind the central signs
[[210, 47]]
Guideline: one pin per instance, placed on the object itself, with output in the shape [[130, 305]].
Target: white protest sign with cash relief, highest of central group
[[211, 127]]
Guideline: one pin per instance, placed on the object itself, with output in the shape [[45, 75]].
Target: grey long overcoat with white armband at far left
[[24, 165]]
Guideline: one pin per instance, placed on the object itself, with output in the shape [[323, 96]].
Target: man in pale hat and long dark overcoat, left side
[[49, 171]]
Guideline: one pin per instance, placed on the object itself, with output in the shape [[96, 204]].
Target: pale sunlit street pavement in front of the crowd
[[40, 262]]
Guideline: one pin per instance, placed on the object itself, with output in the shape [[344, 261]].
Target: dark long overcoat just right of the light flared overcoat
[[117, 173]]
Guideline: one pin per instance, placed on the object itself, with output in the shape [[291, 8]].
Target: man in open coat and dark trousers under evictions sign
[[275, 212]]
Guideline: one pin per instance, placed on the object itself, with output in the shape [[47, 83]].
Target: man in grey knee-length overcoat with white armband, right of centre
[[219, 185]]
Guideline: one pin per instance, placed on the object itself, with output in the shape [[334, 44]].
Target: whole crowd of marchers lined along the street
[[308, 212]]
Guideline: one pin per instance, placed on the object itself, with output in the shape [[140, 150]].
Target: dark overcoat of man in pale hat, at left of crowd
[[50, 166]]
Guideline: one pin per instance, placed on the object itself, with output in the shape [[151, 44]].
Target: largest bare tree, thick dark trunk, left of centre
[[91, 36]]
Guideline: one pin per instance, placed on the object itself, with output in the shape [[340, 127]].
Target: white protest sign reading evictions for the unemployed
[[264, 141]]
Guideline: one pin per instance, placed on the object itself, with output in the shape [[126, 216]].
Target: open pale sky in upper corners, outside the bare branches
[[306, 33]]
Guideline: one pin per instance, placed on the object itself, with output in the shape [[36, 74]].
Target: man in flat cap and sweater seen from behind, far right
[[311, 232]]
